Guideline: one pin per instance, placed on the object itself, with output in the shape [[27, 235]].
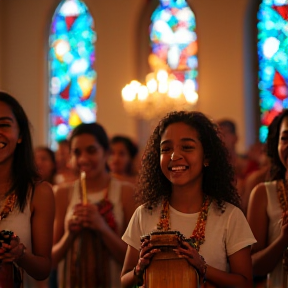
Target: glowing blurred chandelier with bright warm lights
[[161, 93]]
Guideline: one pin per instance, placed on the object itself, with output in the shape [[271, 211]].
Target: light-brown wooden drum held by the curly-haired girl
[[166, 268]]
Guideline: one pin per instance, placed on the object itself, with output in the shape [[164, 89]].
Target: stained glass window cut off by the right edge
[[273, 61]]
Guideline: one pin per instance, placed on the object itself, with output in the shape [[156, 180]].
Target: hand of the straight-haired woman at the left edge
[[13, 251]]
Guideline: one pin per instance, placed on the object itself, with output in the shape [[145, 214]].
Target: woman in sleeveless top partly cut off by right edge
[[268, 205]]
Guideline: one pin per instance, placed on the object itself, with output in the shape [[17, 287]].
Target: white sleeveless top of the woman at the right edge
[[274, 211]]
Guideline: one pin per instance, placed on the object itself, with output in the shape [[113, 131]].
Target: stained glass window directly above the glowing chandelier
[[173, 40]]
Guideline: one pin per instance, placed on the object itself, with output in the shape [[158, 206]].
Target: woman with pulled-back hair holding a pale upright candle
[[87, 235]]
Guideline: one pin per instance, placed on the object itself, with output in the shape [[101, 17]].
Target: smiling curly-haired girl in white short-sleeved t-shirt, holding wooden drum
[[187, 185]]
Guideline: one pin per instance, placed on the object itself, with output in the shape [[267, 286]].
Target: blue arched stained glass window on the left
[[72, 78]]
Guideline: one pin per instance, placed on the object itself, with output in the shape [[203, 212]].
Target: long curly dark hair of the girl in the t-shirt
[[218, 177]]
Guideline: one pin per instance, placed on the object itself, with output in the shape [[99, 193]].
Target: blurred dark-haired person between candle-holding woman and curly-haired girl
[[122, 161]]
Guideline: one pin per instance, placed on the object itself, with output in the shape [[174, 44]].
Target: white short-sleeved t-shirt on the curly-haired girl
[[225, 233]]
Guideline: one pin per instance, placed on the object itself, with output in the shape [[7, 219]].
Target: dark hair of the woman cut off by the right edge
[[277, 170]]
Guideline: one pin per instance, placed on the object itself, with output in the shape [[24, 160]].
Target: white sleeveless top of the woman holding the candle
[[114, 195]]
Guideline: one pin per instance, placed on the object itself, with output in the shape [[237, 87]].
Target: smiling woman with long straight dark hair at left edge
[[26, 203]]
